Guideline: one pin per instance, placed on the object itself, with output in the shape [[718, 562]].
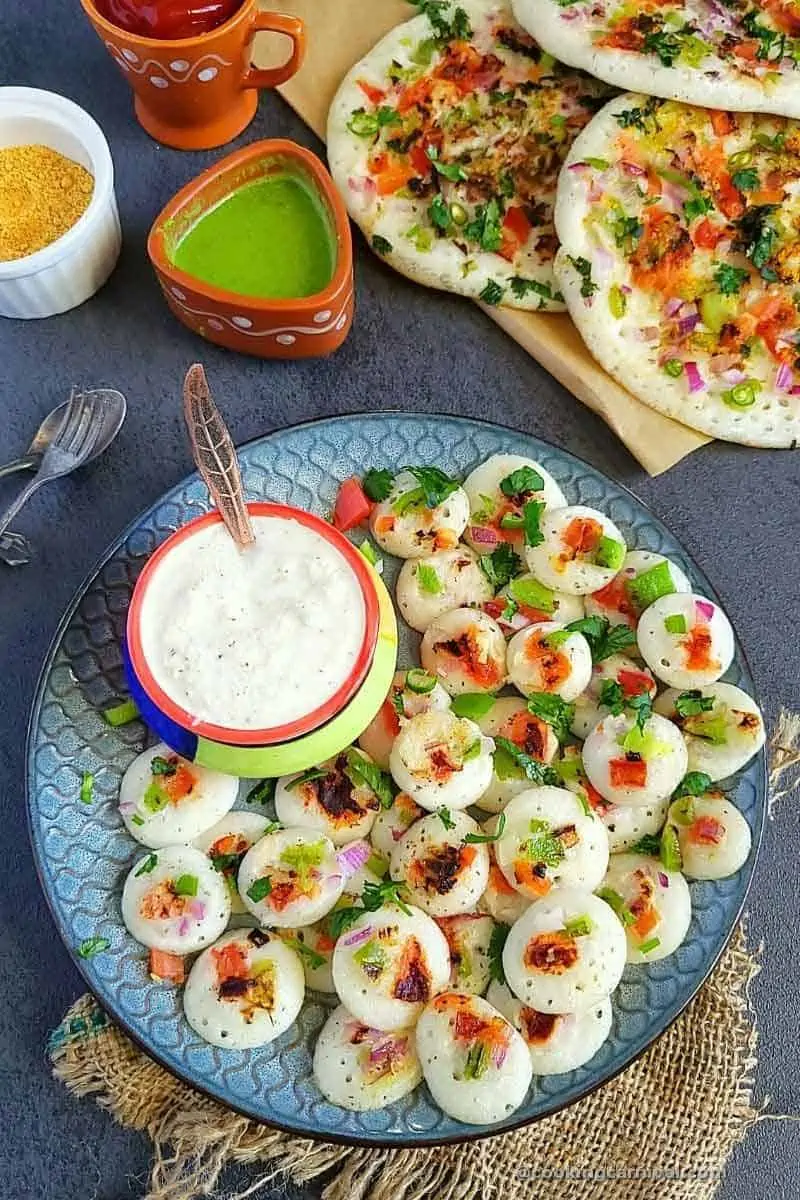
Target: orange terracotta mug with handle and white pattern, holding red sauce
[[200, 93]]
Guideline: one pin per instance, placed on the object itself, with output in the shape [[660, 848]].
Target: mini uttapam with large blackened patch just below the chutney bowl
[[335, 799]]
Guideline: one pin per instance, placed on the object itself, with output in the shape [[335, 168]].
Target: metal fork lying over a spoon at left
[[92, 419]]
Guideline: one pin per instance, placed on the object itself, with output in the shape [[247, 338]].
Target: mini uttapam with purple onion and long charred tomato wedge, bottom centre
[[389, 964]]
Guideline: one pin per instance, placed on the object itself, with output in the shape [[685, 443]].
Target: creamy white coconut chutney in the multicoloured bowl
[[252, 639]]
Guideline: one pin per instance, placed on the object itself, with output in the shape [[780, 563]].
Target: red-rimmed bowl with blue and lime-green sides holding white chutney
[[282, 749]]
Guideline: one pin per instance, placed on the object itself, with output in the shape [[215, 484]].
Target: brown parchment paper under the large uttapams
[[340, 33]]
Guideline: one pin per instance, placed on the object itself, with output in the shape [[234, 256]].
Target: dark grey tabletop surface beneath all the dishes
[[735, 509]]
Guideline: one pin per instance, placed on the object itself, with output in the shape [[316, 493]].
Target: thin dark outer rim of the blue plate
[[419, 1141]]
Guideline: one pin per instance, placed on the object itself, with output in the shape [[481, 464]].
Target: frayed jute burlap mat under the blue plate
[[666, 1126]]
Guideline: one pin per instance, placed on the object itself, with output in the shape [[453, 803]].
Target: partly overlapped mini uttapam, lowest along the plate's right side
[[653, 903]]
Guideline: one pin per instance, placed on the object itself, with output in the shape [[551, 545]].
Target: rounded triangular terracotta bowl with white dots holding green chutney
[[278, 329]]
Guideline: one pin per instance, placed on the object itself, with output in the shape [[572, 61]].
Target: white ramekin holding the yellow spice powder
[[70, 271]]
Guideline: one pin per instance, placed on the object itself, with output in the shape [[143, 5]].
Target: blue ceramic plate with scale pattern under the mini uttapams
[[83, 851]]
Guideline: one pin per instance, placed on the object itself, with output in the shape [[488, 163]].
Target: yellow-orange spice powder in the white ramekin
[[43, 195]]
